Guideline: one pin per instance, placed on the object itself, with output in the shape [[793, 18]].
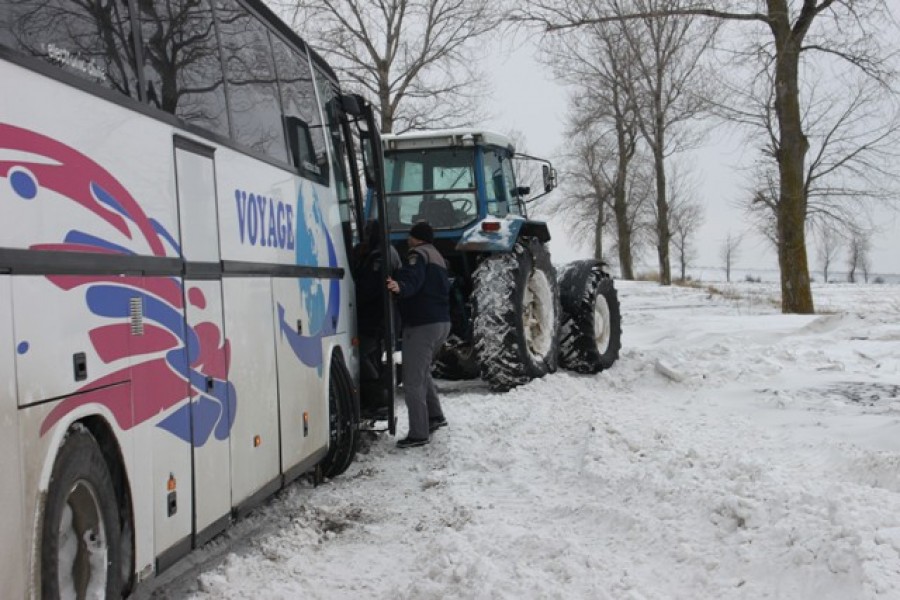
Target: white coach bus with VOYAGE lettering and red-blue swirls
[[178, 199]]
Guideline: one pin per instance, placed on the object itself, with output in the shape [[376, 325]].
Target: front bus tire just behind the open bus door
[[342, 422]]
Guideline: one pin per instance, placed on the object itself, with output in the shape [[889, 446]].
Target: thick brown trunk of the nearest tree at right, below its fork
[[796, 293]]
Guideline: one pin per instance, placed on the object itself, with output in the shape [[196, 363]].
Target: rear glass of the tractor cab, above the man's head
[[434, 185]]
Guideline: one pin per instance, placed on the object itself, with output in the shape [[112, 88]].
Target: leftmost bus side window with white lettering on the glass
[[89, 39]]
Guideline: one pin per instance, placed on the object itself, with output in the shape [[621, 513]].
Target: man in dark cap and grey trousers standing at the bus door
[[424, 290]]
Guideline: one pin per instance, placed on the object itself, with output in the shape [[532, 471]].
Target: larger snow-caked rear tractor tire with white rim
[[516, 323]]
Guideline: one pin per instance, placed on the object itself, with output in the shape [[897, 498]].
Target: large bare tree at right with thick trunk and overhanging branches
[[850, 37]]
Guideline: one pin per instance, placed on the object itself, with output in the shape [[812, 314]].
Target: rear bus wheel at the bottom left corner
[[80, 545]]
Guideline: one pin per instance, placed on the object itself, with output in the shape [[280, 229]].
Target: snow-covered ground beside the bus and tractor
[[732, 452]]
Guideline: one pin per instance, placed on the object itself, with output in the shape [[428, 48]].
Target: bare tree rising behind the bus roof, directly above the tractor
[[418, 57]]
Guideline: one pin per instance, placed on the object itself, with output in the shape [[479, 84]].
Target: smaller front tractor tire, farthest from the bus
[[591, 331]]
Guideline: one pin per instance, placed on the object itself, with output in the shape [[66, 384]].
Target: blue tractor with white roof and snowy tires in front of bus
[[514, 317]]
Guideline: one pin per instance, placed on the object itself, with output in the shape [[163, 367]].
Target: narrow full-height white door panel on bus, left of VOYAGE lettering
[[212, 395]]
